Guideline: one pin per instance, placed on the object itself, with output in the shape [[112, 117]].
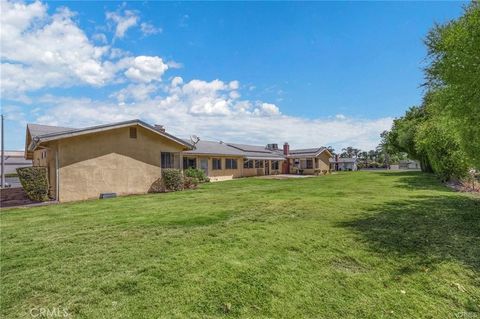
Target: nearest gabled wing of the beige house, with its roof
[[124, 158]]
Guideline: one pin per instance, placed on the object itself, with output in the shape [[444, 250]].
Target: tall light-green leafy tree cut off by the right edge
[[454, 73]]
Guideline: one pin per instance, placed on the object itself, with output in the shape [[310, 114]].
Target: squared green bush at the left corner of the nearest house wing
[[34, 181]]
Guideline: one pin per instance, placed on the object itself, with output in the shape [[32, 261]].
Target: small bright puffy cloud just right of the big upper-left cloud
[[146, 69]]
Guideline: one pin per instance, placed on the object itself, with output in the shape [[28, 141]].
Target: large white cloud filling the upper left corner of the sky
[[44, 50]]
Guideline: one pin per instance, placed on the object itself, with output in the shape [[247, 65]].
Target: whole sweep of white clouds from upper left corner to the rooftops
[[41, 50]]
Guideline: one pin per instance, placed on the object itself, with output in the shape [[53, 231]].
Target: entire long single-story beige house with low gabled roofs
[[127, 158]]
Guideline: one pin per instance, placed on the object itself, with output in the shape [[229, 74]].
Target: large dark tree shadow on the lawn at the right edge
[[429, 229]]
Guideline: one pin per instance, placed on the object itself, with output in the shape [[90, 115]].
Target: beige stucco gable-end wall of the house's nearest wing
[[110, 161]]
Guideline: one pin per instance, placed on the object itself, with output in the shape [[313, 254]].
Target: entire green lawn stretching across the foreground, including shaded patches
[[350, 245]]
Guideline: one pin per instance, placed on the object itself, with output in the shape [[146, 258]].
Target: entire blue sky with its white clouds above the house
[[324, 73]]
